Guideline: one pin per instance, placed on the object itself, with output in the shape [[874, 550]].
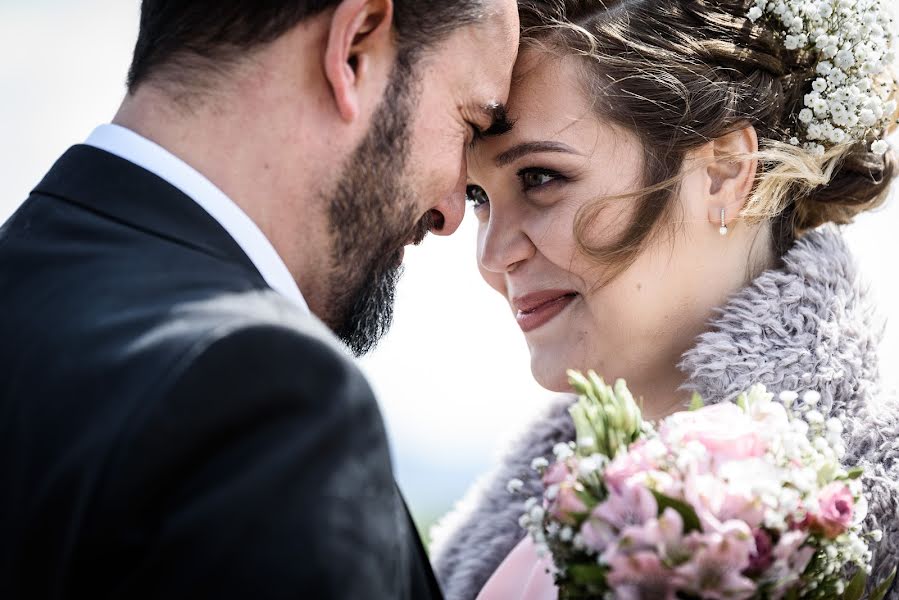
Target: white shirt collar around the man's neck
[[126, 144]]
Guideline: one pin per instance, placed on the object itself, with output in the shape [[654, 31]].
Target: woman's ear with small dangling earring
[[729, 174]]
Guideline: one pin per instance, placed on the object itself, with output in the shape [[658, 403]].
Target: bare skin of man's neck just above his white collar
[[231, 153]]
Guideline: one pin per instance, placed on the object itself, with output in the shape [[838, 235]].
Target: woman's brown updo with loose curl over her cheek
[[679, 73]]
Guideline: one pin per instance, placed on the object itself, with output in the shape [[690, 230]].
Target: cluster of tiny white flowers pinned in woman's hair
[[853, 42]]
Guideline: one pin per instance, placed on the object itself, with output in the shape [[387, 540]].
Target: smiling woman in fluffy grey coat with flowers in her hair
[[664, 212]]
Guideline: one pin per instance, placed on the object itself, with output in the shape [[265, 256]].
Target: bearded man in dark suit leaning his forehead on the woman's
[[177, 419]]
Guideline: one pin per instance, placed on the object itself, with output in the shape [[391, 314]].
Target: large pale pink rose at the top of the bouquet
[[723, 429]]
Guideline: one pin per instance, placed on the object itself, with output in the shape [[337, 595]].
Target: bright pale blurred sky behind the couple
[[453, 375]]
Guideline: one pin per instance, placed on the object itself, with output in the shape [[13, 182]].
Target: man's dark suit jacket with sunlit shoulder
[[170, 427]]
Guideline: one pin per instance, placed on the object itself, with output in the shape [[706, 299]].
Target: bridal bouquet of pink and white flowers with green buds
[[737, 500]]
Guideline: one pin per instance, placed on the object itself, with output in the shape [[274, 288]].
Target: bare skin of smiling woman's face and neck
[[527, 188]]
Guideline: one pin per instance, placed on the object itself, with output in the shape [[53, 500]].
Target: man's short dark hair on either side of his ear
[[186, 42]]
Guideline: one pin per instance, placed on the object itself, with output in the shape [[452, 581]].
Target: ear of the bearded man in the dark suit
[[359, 31]]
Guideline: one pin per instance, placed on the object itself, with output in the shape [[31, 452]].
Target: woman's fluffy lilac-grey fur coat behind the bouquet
[[808, 325]]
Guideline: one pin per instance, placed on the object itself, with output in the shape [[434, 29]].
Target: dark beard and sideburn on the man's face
[[370, 215]]
